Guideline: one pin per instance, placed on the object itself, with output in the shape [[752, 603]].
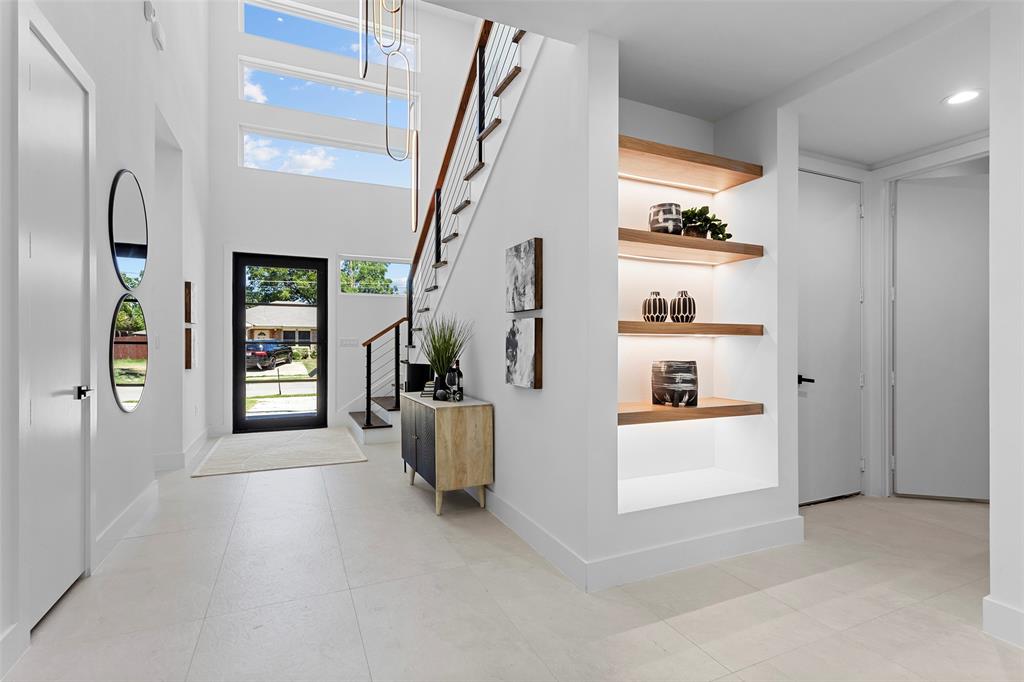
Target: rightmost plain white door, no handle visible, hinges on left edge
[[941, 338]]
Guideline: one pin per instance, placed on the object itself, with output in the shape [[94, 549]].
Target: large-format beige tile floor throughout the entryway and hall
[[344, 573]]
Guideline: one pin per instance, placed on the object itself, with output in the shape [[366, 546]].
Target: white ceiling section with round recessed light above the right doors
[[893, 108]]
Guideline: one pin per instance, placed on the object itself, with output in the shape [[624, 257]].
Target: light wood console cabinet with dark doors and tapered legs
[[450, 445]]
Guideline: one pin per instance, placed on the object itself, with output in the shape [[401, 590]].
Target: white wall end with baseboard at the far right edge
[[1004, 608]]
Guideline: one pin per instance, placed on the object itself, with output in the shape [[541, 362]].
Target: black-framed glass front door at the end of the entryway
[[280, 343]]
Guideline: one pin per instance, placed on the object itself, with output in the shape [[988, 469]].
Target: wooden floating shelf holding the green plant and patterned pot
[[660, 246]]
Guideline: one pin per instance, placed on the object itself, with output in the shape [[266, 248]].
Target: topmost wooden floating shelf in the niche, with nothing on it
[[663, 164]]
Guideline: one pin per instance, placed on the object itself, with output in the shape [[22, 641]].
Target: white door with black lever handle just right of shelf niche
[[830, 340]]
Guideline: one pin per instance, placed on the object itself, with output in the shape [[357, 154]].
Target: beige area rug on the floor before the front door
[[280, 450]]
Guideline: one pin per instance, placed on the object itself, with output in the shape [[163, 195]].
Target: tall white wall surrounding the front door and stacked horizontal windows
[[276, 214]]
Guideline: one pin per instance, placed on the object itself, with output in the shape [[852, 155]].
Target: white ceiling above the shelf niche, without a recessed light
[[711, 59]]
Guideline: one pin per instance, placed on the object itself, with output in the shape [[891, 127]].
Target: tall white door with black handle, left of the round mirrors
[[54, 216]]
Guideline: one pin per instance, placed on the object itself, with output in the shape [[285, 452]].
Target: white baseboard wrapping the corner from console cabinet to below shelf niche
[[649, 563]]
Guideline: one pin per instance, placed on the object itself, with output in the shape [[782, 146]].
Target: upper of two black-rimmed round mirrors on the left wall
[[130, 229]]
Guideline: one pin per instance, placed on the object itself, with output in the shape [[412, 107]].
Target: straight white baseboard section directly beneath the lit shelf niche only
[[610, 572]]
